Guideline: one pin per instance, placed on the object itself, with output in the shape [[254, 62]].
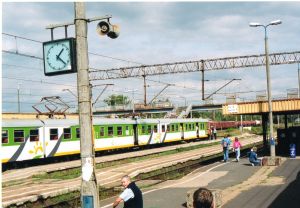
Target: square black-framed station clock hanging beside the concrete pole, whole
[[59, 57]]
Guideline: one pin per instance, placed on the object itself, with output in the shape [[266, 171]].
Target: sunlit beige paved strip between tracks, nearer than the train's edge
[[28, 189]]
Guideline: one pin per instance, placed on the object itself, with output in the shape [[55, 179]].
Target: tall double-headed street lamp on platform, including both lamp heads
[[276, 22]]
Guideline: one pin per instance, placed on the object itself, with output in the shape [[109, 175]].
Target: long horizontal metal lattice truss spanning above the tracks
[[194, 66]]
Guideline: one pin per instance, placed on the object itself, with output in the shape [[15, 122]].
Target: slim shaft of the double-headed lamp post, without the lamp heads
[[272, 143]]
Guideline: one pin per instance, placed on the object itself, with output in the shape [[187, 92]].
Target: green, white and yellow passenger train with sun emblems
[[25, 140]]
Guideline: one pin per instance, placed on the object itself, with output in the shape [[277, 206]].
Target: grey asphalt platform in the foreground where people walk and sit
[[241, 185]]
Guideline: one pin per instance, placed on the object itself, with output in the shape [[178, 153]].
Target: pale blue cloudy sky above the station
[[150, 33]]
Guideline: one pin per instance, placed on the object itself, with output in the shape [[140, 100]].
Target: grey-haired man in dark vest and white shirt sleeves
[[131, 196]]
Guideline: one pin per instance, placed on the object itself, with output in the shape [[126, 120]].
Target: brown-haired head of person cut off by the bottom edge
[[203, 198]]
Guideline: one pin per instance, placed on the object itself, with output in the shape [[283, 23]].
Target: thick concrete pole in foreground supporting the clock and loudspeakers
[[89, 188]]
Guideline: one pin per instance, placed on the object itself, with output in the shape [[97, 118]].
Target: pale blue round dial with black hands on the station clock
[[58, 56]]
